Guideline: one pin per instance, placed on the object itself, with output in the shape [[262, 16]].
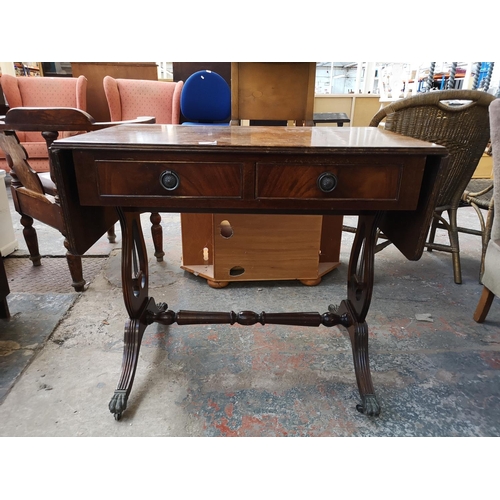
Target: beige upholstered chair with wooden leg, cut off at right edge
[[491, 275]]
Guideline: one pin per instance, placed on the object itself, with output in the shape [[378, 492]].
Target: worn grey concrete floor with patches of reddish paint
[[61, 351]]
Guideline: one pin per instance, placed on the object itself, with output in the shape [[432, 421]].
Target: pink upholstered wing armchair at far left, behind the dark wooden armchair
[[23, 91]]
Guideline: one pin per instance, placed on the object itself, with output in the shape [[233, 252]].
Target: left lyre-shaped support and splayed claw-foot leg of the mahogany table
[[135, 294]]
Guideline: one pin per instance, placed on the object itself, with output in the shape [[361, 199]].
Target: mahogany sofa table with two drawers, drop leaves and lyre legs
[[389, 181]]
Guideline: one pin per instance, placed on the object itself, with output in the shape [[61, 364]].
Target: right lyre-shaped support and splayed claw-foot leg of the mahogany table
[[359, 293]]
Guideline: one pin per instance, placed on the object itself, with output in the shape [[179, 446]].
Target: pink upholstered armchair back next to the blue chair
[[128, 99]]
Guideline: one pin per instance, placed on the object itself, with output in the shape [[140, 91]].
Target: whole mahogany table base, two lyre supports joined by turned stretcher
[[143, 310]]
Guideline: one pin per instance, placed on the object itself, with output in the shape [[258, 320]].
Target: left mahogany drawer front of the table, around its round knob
[[195, 180]]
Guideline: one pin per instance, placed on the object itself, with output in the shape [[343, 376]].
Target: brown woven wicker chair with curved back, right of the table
[[458, 120]]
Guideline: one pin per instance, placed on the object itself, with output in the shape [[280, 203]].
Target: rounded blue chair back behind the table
[[206, 99]]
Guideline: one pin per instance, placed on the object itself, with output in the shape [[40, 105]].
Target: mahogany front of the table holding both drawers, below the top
[[384, 182]]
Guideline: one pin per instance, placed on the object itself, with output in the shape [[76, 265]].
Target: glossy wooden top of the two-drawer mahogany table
[[291, 139]]
